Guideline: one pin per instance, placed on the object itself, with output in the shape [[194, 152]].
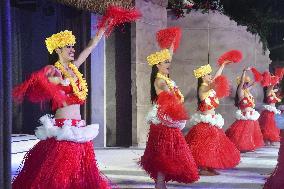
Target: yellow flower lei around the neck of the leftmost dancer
[[81, 94]]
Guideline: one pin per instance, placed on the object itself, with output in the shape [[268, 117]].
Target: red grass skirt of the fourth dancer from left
[[246, 135]]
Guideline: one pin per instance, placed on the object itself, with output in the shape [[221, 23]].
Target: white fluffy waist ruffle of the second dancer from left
[[152, 118]]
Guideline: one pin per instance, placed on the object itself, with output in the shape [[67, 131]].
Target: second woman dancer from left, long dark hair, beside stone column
[[167, 156]]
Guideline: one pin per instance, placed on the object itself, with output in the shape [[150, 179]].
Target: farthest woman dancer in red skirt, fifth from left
[[267, 122]]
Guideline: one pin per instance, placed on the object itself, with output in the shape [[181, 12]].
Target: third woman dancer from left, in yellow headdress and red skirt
[[209, 145]]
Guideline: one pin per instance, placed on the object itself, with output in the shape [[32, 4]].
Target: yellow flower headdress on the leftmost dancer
[[60, 40]]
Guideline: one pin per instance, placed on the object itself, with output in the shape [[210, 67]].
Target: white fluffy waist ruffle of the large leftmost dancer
[[80, 133]]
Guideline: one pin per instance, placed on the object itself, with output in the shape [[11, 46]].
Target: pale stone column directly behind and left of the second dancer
[[143, 43]]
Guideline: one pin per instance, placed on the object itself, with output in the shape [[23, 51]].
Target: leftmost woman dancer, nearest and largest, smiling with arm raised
[[64, 158]]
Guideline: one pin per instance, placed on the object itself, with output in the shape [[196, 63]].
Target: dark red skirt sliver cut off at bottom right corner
[[276, 180]]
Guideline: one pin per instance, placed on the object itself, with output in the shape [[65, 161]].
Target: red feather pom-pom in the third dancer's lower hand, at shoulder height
[[222, 86]]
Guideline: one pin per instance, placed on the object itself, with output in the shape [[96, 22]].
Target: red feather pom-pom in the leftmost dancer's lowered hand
[[38, 89]]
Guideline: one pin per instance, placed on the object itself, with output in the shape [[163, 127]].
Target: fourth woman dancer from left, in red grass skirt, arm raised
[[245, 132]]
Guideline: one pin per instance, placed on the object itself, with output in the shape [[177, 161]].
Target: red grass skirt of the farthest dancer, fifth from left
[[268, 126]]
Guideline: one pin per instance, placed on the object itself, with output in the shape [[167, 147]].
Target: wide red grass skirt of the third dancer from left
[[211, 148]]
